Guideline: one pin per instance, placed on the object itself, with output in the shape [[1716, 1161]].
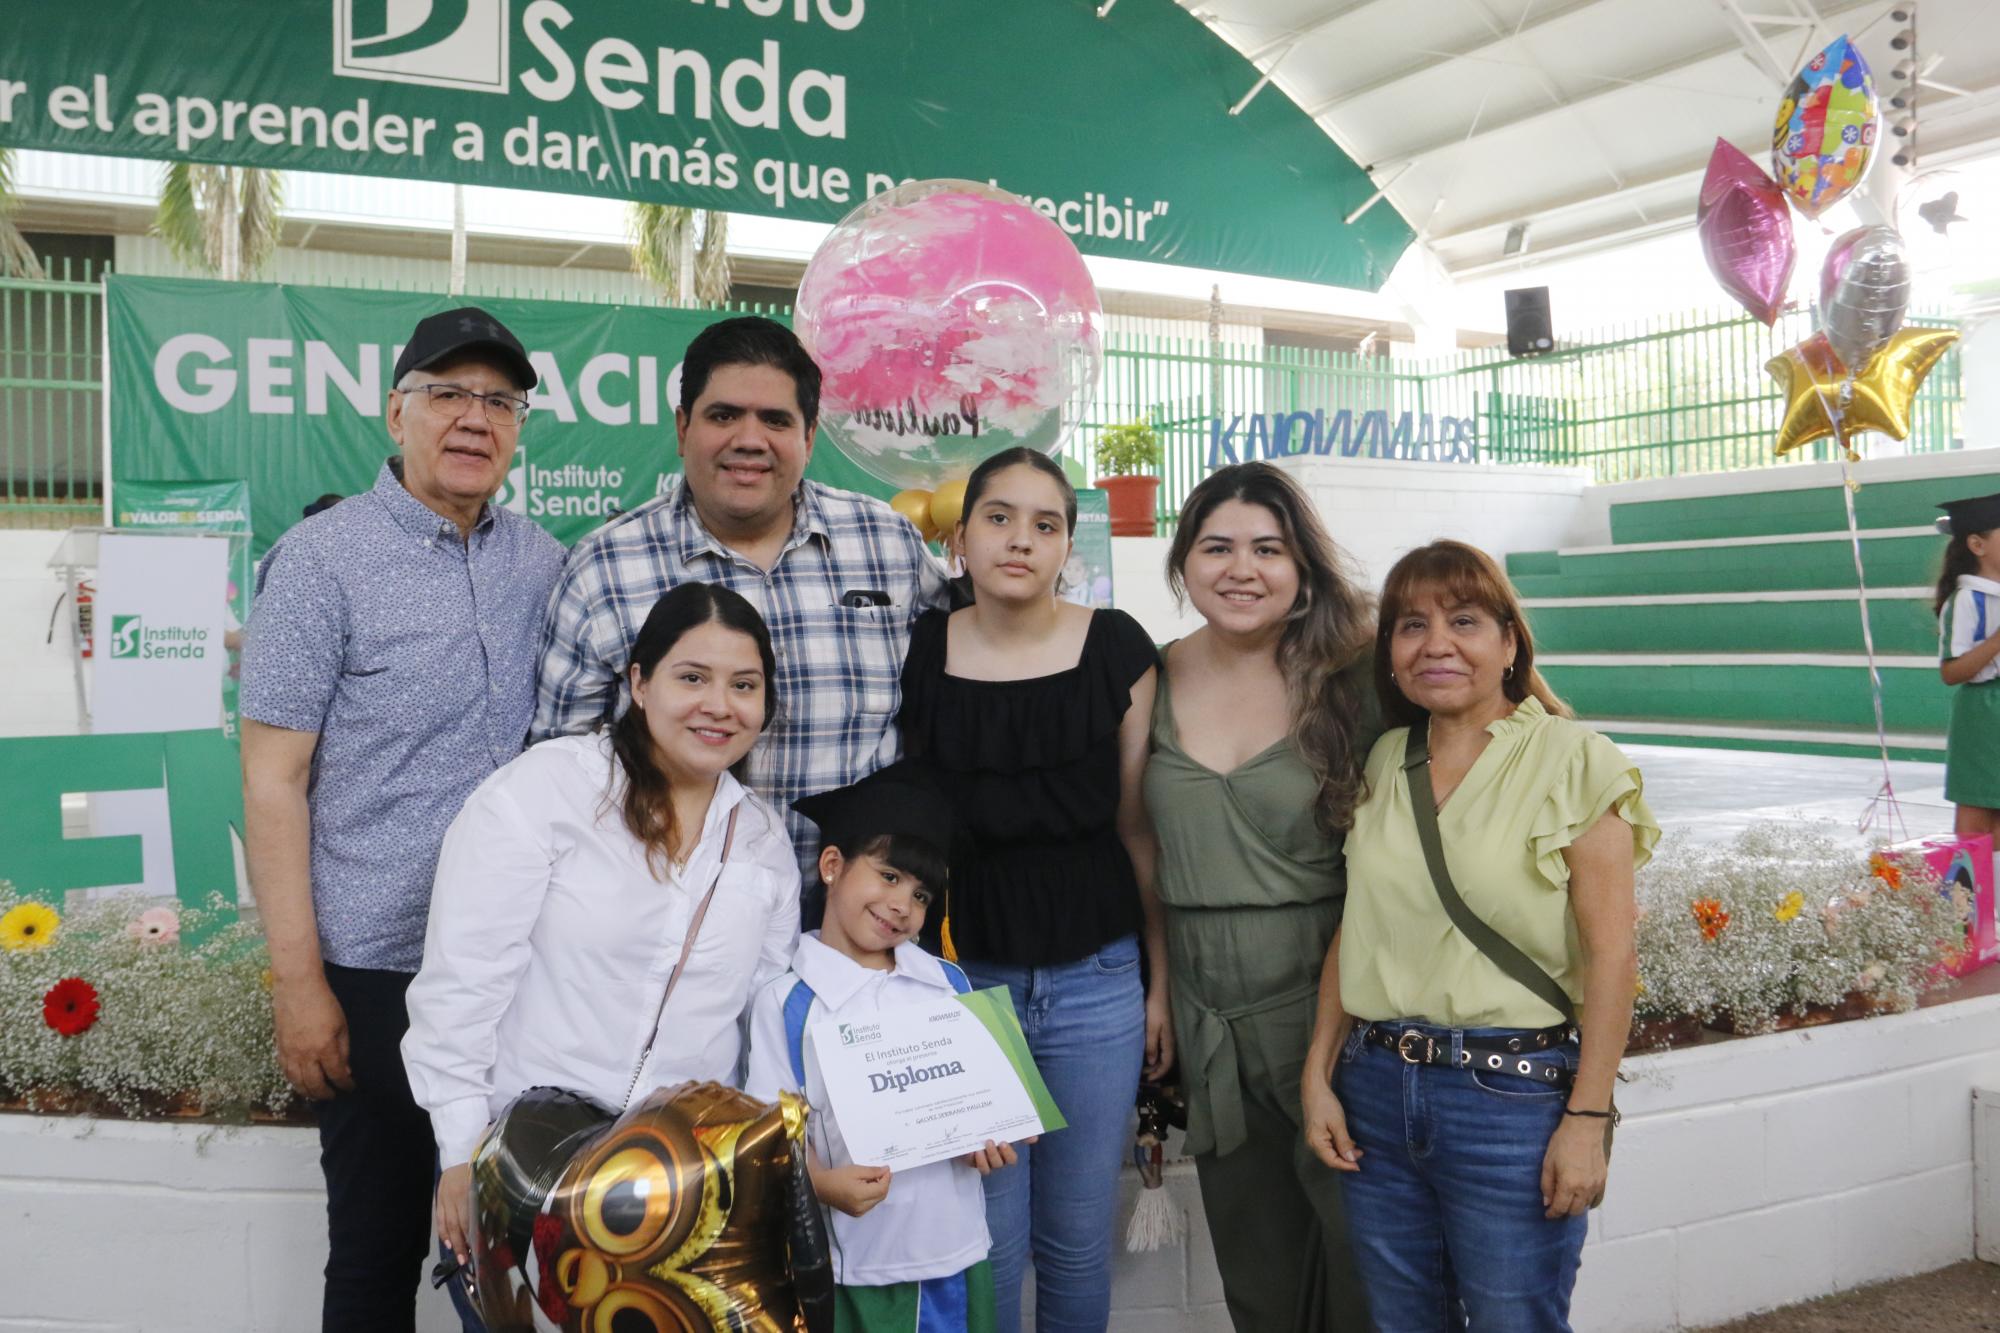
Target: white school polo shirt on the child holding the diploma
[[933, 1224]]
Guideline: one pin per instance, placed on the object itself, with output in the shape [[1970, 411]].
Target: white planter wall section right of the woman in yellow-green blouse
[[1767, 1172]]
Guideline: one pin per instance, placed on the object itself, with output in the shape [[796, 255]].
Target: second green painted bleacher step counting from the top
[[1893, 557]]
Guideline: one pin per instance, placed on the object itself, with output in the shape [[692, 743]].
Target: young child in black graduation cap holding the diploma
[[909, 1254]]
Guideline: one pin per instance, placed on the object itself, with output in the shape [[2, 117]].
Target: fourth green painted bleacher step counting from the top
[[1735, 690]]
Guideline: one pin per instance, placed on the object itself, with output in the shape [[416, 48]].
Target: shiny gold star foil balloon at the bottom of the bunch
[[1821, 393]]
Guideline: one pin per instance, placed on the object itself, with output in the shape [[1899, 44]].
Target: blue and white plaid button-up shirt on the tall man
[[839, 668]]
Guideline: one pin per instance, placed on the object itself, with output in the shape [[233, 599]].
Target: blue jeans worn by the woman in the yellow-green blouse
[[1447, 1210]]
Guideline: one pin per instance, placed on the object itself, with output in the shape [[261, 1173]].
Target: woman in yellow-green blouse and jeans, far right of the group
[[1463, 1098]]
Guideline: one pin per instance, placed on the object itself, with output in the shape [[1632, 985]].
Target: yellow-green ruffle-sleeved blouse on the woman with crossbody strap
[[1533, 792]]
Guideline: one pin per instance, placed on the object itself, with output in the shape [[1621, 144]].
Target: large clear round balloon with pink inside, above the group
[[951, 321]]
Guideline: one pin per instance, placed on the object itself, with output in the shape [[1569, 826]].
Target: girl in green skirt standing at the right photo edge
[[1969, 655]]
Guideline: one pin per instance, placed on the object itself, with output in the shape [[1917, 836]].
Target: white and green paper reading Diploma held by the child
[[923, 1084]]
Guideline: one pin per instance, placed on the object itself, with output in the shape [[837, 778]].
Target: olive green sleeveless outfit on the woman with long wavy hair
[[1253, 896]]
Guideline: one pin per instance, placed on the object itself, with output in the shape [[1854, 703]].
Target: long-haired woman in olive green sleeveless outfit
[[1259, 734]]
